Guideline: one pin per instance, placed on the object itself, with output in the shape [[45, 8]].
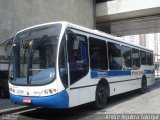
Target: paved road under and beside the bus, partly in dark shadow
[[128, 103]]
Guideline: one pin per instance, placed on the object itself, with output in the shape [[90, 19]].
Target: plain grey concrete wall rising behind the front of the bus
[[19, 14]]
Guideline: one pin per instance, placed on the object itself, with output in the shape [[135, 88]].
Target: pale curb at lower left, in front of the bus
[[15, 109]]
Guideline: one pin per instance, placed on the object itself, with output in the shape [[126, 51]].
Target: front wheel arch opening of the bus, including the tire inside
[[101, 94]]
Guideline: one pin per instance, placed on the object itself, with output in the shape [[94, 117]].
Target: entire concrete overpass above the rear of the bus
[[128, 17]]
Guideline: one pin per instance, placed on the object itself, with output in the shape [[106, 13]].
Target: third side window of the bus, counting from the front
[[114, 55]]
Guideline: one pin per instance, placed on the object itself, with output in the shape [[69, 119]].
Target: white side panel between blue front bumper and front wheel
[[83, 91]]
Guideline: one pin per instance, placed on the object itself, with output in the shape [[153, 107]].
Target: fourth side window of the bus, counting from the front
[[126, 57]]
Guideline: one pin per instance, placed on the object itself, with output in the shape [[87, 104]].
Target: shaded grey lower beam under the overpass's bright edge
[[150, 24]]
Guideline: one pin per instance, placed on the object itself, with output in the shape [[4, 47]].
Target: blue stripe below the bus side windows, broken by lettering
[[111, 73]]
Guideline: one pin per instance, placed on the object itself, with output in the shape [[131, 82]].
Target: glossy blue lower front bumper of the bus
[[60, 100]]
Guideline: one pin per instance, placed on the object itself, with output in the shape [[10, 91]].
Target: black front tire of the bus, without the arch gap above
[[101, 97]]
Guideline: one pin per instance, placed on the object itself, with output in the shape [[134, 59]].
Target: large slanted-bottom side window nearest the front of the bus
[[78, 57]]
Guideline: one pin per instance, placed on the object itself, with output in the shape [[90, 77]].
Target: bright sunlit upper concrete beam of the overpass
[[124, 9]]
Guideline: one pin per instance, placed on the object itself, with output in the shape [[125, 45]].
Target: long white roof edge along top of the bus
[[95, 32]]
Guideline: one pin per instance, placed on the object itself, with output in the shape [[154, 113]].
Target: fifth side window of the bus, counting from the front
[[135, 58]]
